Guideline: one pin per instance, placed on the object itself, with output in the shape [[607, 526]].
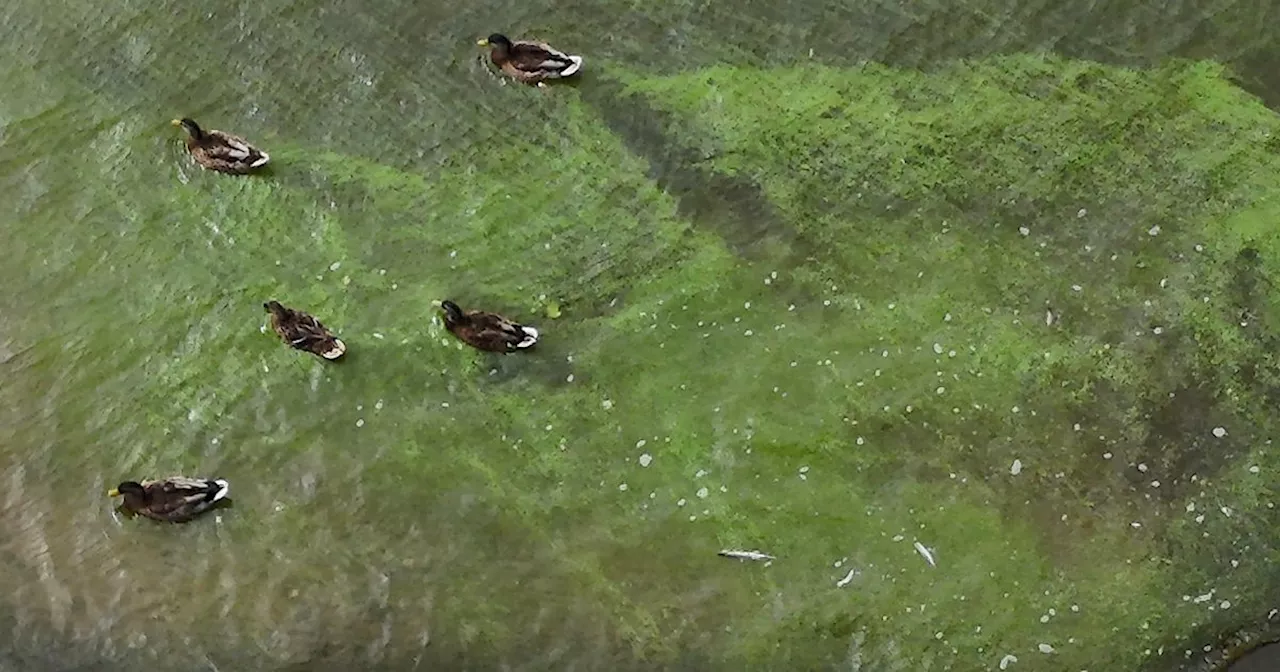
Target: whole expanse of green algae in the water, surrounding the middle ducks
[[862, 385]]
